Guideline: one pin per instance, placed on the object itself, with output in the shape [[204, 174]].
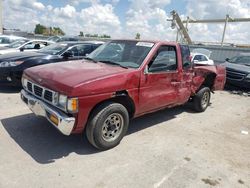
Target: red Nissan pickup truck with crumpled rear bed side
[[120, 80]]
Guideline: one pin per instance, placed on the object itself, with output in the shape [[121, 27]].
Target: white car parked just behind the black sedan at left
[[25, 45]]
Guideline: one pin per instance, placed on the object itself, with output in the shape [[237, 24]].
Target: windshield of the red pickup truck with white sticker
[[124, 53]]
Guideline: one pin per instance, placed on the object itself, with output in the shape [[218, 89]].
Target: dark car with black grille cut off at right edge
[[238, 70]]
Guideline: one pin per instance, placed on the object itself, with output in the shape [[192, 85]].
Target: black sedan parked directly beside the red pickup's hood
[[12, 65]]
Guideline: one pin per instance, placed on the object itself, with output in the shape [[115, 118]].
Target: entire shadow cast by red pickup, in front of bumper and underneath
[[45, 144]]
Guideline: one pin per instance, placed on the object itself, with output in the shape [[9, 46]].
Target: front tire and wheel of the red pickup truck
[[107, 125]]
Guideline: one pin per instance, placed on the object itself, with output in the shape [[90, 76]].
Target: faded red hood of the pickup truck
[[79, 78]]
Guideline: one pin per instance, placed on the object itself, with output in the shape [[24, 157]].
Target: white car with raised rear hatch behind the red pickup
[[201, 56]]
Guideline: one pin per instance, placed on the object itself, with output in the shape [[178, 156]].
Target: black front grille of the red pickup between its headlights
[[41, 92]]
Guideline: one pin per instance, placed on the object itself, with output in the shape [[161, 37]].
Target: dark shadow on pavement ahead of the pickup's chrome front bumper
[[41, 141]]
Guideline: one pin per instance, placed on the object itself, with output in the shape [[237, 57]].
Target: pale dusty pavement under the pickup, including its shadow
[[171, 148]]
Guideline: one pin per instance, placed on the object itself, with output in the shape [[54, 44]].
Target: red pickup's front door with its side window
[[158, 87]]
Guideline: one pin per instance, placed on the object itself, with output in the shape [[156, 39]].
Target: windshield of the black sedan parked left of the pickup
[[54, 49]]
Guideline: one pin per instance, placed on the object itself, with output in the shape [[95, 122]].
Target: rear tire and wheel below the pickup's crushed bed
[[202, 99]]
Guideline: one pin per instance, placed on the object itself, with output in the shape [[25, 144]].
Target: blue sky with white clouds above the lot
[[125, 18]]
